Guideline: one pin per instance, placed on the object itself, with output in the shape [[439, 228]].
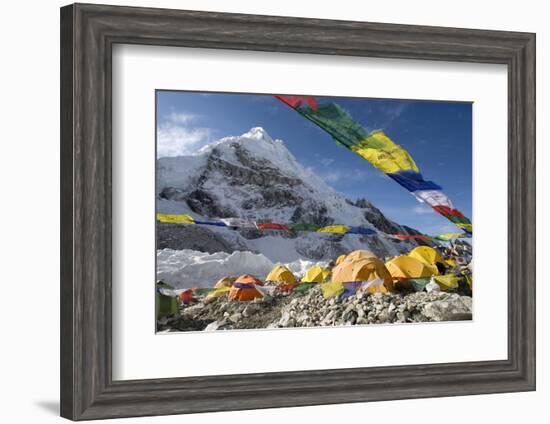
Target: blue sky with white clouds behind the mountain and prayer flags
[[438, 135]]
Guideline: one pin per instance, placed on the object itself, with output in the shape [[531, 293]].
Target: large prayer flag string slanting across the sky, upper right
[[378, 149]]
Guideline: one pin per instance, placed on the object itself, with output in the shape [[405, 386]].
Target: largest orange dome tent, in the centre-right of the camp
[[363, 269]]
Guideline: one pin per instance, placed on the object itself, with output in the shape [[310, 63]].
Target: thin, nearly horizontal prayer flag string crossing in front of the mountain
[[235, 223]]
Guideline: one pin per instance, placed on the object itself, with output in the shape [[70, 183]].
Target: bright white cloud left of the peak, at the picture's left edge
[[176, 137]]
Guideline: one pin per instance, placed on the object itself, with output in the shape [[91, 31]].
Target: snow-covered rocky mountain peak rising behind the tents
[[255, 177]]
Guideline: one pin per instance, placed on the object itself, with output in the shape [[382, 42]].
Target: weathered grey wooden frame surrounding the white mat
[[88, 33]]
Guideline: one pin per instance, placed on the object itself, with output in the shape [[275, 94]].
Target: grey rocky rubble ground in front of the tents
[[310, 309]]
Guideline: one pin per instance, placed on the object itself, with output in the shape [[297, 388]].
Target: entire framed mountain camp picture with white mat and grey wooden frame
[[263, 212]]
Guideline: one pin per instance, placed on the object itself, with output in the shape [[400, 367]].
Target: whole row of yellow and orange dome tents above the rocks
[[359, 270]]
